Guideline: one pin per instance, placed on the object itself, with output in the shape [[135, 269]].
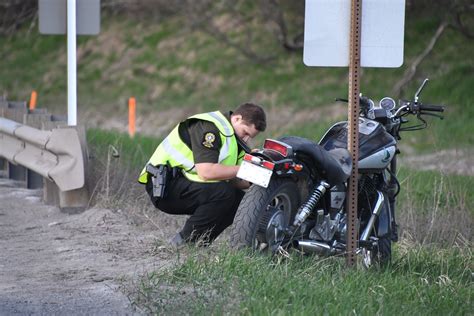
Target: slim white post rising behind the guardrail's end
[[71, 64]]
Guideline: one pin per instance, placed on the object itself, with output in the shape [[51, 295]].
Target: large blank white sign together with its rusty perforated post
[[340, 33]]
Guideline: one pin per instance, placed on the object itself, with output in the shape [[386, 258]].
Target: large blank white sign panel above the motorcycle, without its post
[[327, 27]]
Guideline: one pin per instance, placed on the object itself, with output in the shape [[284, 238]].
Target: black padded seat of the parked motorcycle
[[335, 166]]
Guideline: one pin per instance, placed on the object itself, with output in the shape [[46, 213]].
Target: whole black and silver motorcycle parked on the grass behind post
[[298, 200]]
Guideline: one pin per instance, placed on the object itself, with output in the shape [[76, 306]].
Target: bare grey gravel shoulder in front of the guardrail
[[55, 263]]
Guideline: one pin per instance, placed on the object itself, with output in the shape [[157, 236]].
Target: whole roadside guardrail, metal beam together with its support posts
[[41, 151]]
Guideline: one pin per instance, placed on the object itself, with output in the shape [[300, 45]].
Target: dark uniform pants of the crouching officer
[[212, 206]]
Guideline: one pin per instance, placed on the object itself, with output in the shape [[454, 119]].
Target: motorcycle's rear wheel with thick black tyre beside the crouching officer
[[277, 203]]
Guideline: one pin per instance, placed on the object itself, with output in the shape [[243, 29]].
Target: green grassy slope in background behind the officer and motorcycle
[[164, 67]]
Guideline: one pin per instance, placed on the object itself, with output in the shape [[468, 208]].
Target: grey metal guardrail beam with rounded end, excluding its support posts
[[56, 154]]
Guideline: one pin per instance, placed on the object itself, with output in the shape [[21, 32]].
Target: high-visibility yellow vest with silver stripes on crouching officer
[[176, 153]]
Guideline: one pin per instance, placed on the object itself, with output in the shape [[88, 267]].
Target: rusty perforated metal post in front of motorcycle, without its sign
[[353, 128]]
